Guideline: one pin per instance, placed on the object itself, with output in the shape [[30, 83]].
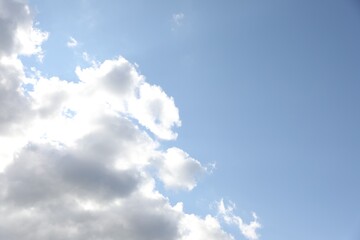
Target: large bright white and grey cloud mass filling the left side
[[78, 158]]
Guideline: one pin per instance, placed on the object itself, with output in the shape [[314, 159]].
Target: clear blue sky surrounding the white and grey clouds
[[268, 90]]
